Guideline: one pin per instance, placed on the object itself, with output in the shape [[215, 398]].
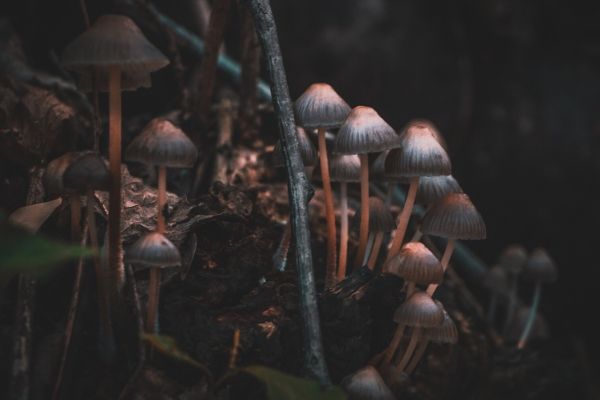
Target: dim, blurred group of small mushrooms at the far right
[[519, 322]]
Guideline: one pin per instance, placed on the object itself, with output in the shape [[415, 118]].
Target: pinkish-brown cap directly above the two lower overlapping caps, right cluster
[[416, 263]]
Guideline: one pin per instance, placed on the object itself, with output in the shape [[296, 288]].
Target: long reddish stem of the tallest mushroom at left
[[114, 204]]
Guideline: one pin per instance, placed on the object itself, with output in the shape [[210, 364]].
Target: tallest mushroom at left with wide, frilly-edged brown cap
[[114, 53]]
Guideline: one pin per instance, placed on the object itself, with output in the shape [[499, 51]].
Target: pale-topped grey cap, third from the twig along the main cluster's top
[[419, 154]]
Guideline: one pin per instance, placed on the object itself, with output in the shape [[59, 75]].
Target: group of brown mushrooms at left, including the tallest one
[[113, 55]]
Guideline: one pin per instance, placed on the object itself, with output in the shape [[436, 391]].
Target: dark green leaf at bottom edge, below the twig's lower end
[[282, 386]]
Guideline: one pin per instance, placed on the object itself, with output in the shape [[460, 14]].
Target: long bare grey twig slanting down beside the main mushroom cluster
[[299, 189]]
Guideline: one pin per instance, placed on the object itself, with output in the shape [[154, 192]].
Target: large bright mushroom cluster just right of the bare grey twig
[[416, 157]]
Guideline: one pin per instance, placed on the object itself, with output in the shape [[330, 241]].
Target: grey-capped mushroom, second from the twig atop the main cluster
[[364, 132]]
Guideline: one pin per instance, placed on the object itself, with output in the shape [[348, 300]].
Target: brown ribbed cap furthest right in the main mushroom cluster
[[454, 217]]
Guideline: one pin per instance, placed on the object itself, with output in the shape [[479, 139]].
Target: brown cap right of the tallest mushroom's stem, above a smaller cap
[[162, 143]]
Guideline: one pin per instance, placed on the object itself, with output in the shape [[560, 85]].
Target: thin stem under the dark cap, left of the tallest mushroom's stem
[[106, 333]]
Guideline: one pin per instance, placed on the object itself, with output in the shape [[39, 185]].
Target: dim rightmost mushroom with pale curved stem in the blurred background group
[[540, 268]]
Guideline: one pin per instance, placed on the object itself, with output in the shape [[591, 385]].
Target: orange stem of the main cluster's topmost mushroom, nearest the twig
[[330, 273]]
